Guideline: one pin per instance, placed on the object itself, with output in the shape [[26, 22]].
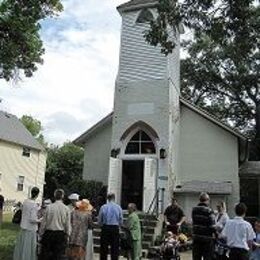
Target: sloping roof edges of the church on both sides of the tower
[[108, 119]]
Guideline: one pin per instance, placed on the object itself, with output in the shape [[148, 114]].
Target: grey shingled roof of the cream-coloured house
[[12, 130]]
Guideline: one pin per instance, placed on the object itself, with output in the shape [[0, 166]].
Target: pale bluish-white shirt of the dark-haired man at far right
[[238, 232]]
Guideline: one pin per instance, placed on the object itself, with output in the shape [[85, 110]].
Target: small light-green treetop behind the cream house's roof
[[34, 126]]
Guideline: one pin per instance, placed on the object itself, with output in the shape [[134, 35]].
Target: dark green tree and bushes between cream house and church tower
[[64, 170]]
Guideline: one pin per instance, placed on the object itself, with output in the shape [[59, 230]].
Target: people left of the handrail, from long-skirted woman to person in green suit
[[57, 231]]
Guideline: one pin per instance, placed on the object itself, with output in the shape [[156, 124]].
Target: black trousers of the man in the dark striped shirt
[[202, 250]]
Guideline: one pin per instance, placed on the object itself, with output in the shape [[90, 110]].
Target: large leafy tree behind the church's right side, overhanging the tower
[[221, 70]]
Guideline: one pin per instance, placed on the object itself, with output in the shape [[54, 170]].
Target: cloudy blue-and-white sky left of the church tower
[[74, 87]]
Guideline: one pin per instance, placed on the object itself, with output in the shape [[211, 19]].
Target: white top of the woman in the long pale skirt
[[29, 215]]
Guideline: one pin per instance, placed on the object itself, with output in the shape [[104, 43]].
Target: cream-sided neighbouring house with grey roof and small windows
[[22, 159]]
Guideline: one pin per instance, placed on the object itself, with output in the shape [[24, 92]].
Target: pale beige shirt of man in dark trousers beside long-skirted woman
[[56, 218]]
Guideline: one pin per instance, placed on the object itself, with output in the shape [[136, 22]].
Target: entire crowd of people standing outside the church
[[57, 231]]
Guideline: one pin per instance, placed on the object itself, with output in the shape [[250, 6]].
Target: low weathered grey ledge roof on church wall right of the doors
[[211, 187]]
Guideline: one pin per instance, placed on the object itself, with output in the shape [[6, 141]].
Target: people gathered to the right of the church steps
[[214, 234]]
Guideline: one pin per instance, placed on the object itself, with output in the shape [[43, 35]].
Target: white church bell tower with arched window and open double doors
[[145, 131]]
